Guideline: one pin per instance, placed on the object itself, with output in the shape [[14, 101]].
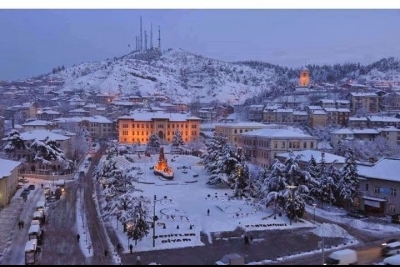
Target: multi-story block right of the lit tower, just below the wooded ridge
[[366, 102]]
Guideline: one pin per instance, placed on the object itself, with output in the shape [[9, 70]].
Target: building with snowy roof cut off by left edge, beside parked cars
[[8, 180]]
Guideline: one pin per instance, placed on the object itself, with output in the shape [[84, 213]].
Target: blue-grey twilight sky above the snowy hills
[[34, 41]]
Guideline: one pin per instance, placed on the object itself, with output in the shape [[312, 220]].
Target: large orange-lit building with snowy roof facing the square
[[137, 127]]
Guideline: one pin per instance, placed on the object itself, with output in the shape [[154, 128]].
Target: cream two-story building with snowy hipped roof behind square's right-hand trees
[[262, 146]]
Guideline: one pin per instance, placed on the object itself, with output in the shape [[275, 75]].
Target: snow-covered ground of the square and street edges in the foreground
[[182, 206]]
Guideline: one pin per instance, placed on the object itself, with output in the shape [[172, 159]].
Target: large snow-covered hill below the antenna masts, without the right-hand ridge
[[180, 75]]
